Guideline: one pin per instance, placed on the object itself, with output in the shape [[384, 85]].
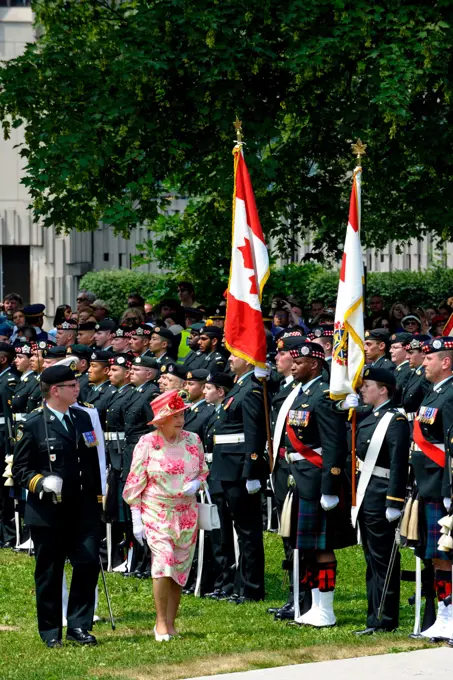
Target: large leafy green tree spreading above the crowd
[[125, 102]]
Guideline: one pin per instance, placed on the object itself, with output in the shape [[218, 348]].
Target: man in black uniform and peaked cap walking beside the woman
[[56, 460]]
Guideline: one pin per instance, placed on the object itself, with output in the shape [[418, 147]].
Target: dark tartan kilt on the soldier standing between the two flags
[[321, 530]]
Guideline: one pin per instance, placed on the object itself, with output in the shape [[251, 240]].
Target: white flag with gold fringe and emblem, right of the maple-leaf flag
[[348, 351]]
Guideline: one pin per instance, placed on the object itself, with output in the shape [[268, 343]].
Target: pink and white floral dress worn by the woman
[[158, 473]]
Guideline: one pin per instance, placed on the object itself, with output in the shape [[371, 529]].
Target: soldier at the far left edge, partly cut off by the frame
[[8, 382]]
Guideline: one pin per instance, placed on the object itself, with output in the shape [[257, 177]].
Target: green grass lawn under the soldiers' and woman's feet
[[218, 636]]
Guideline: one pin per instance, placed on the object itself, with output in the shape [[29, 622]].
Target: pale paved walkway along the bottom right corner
[[423, 664]]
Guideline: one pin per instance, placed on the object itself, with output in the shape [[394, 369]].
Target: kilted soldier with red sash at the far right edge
[[432, 428]]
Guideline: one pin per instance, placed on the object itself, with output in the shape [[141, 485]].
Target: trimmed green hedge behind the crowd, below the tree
[[306, 282]]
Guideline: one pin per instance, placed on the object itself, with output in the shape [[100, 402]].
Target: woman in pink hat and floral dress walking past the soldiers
[[167, 470]]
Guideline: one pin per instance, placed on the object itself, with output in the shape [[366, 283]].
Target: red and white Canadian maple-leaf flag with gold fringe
[[249, 271]]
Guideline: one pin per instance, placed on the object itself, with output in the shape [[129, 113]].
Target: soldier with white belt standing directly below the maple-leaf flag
[[239, 464]]
